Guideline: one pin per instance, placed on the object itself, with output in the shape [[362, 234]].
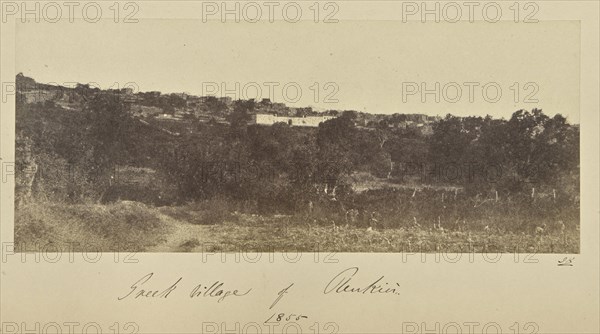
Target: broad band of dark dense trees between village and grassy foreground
[[281, 168]]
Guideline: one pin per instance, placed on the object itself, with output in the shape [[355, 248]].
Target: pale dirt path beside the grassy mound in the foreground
[[184, 237]]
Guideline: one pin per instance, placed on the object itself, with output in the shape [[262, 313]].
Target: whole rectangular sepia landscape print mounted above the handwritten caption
[[188, 136]]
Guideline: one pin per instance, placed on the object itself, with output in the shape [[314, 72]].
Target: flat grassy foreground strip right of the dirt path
[[276, 233]]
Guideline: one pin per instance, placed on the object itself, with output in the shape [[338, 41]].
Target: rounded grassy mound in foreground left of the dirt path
[[123, 226]]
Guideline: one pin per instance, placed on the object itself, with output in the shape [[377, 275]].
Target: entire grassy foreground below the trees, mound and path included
[[208, 227]]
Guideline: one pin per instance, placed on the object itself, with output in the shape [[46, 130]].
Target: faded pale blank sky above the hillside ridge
[[369, 62]]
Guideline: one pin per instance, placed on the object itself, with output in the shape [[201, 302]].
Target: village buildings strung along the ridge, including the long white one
[[155, 107]]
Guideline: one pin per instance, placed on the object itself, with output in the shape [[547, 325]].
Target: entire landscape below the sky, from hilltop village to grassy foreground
[[147, 168]]
